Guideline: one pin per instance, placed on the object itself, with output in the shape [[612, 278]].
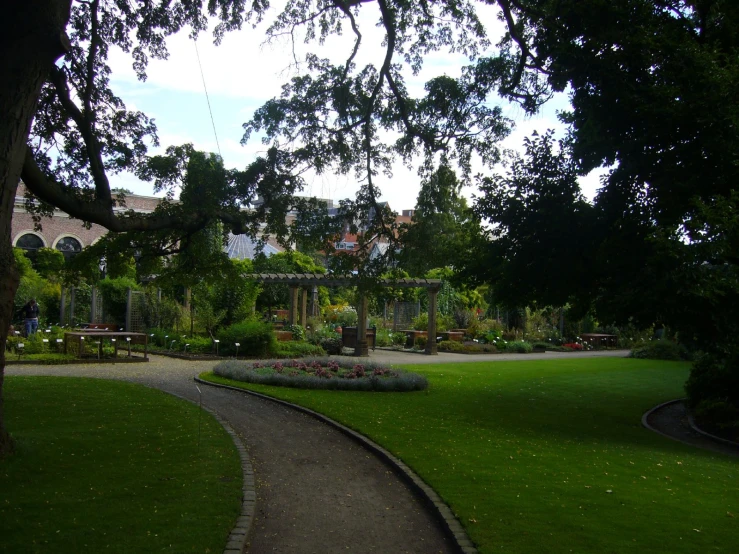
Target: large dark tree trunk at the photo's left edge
[[32, 37]]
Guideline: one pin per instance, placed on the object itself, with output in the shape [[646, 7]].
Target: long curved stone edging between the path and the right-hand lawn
[[450, 523]]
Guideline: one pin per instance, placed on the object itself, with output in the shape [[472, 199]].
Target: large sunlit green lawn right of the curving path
[[551, 456]]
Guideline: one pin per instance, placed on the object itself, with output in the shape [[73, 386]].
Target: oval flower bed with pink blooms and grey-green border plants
[[322, 373]]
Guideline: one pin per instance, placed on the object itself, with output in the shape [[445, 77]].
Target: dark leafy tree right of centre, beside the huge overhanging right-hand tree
[[540, 245]]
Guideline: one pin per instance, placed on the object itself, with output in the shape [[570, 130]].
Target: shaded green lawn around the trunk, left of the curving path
[[105, 466]]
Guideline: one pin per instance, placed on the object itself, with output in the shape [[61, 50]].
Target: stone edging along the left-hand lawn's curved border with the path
[[236, 542]]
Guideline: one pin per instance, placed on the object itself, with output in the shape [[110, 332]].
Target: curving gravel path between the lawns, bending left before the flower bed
[[317, 491]]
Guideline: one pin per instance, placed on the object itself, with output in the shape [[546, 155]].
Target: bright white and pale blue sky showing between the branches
[[242, 73]]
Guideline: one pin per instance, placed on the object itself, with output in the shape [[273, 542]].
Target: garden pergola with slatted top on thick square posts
[[304, 281]]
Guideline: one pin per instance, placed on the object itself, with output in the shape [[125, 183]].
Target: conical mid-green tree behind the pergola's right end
[[442, 226]]
